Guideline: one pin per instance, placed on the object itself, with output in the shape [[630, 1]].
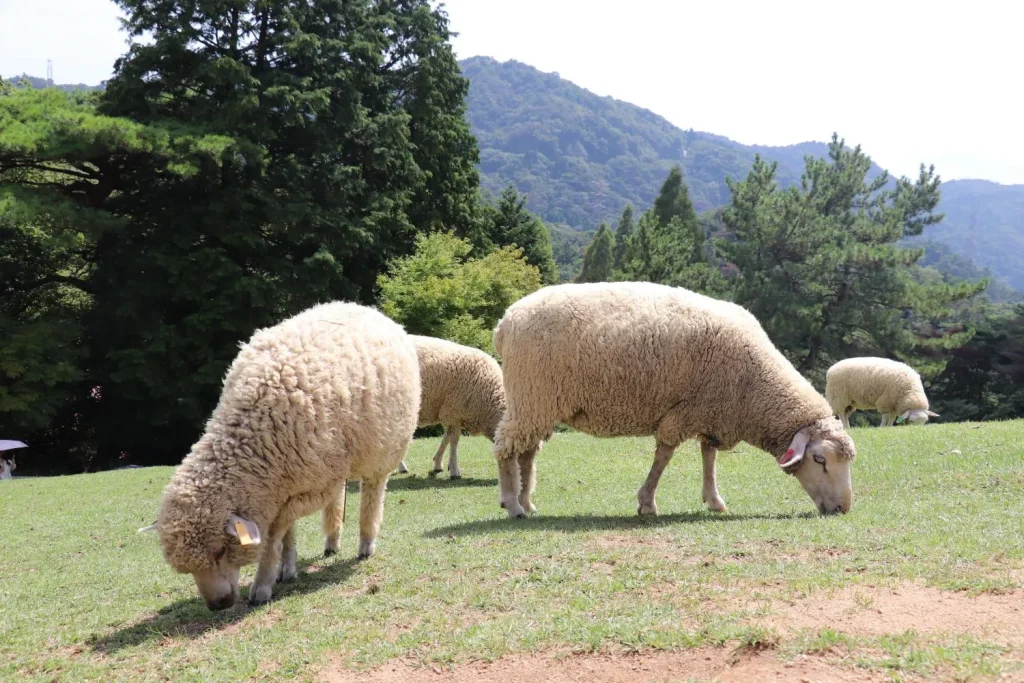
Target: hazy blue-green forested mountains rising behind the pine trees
[[580, 158]]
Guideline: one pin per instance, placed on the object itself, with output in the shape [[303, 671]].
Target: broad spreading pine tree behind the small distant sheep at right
[[821, 267]]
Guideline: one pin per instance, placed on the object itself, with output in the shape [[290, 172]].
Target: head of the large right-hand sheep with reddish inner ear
[[820, 457]]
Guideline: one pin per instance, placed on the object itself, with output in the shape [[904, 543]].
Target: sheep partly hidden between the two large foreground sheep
[[462, 390]]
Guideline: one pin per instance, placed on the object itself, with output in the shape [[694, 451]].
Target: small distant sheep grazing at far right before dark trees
[[890, 388]]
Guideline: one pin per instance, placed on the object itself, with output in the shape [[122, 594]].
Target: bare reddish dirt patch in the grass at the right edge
[[878, 611]]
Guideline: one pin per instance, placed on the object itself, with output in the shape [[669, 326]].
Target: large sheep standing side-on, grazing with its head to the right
[[641, 359]]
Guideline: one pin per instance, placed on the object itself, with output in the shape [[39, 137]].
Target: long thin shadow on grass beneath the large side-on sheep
[[583, 524]]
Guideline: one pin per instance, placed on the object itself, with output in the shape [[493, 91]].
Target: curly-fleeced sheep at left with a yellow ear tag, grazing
[[327, 396]]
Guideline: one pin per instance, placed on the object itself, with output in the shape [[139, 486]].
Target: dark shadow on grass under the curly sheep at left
[[191, 619]]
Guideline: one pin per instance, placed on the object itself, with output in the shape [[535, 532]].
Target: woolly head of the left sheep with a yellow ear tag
[[211, 543]]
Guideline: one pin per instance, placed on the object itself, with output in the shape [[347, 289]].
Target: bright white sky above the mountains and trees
[[912, 81]]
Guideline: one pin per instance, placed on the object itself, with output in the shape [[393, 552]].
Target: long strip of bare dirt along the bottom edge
[[702, 665]]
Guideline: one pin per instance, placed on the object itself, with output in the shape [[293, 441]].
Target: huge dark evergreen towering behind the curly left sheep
[[343, 137]]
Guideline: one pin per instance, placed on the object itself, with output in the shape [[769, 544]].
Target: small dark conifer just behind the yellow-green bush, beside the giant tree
[[511, 224]]
